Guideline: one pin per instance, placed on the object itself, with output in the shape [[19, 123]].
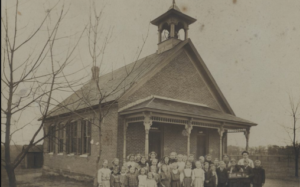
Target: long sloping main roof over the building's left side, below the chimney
[[112, 84]]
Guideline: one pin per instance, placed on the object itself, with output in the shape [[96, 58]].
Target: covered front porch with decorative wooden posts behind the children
[[164, 125]]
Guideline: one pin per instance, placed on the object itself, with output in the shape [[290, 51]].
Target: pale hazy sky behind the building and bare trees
[[252, 49]]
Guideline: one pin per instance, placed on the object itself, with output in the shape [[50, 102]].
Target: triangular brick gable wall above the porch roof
[[178, 80]]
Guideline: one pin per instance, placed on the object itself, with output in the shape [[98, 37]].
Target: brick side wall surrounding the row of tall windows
[[70, 165]]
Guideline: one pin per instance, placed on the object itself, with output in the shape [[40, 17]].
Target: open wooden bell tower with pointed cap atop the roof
[[169, 24]]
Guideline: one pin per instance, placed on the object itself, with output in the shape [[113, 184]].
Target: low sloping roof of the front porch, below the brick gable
[[181, 108]]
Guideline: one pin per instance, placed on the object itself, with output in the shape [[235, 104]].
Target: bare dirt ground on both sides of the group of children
[[34, 178]]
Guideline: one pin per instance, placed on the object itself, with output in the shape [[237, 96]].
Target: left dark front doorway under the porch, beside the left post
[[155, 142]]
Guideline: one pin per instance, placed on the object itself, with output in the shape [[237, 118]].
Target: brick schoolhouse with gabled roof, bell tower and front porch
[[168, 102]]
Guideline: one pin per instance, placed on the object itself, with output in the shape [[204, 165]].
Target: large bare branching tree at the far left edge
[[30, 72]]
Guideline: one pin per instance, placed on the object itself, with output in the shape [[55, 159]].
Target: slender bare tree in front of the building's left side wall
[[98, 40]]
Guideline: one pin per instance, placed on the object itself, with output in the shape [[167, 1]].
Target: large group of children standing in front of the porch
[[179, 171]]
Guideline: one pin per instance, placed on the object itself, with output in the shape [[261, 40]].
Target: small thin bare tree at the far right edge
[[292, 131]]
